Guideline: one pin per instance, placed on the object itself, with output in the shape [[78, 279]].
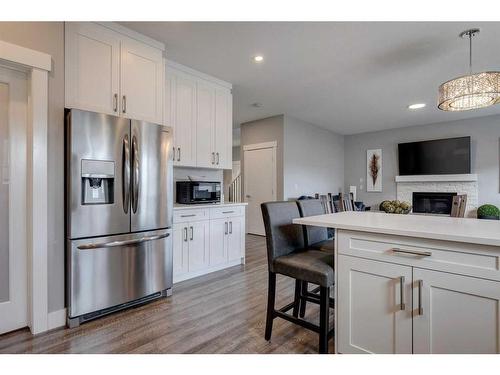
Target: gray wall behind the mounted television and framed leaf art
[[484, 132]]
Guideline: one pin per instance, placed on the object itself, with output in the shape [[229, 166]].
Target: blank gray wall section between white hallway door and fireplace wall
[[313, 159]]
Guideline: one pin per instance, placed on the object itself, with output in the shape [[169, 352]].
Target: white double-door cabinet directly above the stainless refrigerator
[[113, 73]]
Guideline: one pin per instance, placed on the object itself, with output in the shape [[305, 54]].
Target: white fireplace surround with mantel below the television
[[460, 183]]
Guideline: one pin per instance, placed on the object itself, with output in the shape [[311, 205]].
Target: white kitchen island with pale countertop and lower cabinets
[[414, 284]]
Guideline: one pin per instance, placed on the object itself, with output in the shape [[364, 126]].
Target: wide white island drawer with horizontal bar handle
[[474, 260]]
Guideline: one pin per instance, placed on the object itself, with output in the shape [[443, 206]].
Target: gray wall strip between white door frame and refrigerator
[[48, 37]]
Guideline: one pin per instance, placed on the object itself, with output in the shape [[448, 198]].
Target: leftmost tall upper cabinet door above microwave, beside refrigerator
[[184, 118]]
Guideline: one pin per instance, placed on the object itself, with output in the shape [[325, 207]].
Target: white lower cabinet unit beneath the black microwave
[[207, 239]]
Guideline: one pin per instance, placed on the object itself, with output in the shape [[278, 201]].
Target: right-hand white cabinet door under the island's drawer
[[458, 314]]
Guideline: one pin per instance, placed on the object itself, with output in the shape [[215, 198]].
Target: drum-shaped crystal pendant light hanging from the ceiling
[[472, 91]]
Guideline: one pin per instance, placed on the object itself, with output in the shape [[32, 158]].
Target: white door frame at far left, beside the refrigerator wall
[[37, 65]]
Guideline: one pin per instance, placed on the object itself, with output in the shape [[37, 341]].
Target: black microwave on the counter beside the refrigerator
[[192, 192]]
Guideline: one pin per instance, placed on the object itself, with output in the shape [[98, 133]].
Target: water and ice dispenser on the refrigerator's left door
[[98, 177]]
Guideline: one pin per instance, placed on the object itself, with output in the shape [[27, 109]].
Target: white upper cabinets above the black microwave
[[199, 108]]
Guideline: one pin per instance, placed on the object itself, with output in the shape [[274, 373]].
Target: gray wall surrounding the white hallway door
[[266, 130]]
